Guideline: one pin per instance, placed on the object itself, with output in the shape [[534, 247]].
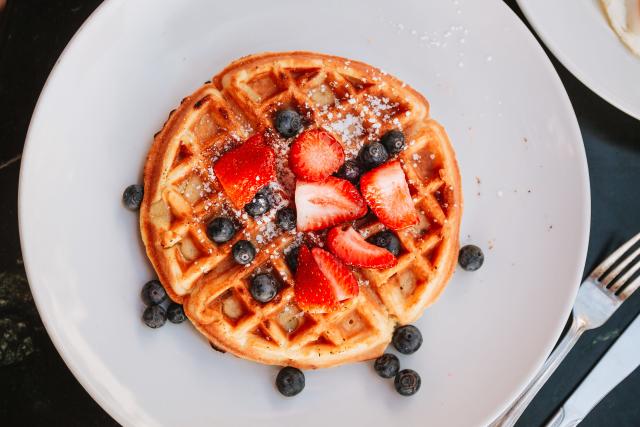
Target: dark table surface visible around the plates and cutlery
[[36, 388]]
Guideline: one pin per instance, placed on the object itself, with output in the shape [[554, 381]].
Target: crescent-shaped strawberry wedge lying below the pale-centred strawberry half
[[350, 247]]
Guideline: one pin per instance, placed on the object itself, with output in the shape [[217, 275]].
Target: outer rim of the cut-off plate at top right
[[566, 61]]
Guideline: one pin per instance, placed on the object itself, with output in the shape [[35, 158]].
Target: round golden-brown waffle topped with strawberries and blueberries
[[355, 102]]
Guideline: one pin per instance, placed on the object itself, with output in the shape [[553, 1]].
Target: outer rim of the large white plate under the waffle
[[108, 403]]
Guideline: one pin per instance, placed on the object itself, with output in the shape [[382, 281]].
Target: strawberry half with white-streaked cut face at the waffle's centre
[[324, 204]]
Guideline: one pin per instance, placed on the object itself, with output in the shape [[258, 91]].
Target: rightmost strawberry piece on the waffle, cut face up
[[386, 191]]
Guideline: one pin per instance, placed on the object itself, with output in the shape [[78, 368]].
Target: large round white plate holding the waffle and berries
[[489, 83]]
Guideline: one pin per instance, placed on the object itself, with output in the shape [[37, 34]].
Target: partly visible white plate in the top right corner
[[579, 35]]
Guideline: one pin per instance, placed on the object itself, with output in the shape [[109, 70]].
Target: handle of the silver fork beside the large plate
[[510, 415]]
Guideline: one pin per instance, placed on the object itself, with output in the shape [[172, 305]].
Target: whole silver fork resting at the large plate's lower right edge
[[598, 298]]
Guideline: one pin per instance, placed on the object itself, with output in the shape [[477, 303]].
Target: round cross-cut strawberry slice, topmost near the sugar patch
[[315, 155]]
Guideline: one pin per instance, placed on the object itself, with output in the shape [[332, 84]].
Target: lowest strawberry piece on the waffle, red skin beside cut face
[[322, 281]]
